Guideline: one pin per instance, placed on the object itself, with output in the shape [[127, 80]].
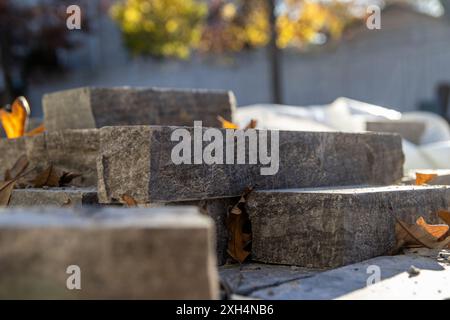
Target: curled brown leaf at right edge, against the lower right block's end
[[416, 235]]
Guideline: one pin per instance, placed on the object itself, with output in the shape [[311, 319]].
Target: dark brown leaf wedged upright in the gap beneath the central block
[[237, 224]]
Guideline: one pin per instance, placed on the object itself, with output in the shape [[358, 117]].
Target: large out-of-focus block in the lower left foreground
[[161, 253]]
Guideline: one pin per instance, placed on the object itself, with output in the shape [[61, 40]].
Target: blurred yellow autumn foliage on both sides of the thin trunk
[[174, 27]]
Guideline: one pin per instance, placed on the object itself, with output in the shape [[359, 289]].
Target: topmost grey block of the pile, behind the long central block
[[98, 107]]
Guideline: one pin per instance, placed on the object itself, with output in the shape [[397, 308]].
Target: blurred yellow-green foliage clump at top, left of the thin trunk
[[160, 27]]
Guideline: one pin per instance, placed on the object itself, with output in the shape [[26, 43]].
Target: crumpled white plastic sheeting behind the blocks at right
[[350, 116]]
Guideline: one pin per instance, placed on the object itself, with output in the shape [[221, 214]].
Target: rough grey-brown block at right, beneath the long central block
[[331, 227]]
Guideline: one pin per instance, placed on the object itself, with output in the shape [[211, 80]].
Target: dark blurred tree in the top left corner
[[30, 35]]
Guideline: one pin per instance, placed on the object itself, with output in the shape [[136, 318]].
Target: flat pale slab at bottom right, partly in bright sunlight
[[350, 282]]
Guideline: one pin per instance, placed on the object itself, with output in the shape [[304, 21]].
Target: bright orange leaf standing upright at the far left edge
[[14, 122]]
